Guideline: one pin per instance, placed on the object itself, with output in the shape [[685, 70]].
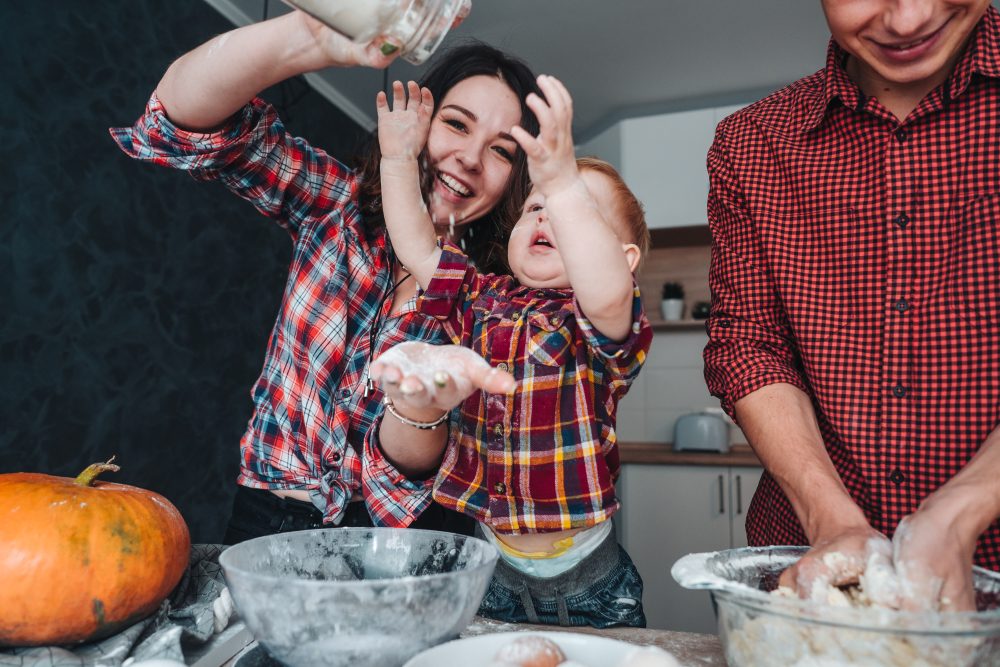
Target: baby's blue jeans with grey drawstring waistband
[[603, 590]]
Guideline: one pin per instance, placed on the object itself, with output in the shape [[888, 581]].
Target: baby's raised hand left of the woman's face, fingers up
[[402, 130]]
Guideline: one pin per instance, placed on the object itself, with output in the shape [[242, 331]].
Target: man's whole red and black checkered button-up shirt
[[858, 258]]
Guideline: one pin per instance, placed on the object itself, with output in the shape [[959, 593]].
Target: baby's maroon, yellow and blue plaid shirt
[[543, 458]]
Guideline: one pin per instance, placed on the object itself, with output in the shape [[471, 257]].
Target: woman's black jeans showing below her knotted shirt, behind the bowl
[[258, 512]]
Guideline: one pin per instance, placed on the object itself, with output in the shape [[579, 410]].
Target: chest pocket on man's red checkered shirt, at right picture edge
[[974, 281]]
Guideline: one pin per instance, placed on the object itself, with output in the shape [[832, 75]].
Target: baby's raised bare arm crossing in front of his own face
[[590, 249]]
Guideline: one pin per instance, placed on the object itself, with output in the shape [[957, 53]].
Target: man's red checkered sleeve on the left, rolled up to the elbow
[[749, 339]]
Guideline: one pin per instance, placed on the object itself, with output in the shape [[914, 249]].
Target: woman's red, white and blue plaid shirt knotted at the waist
[[310, 414]]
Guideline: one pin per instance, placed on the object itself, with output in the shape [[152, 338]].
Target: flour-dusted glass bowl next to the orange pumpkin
[[364, 597]]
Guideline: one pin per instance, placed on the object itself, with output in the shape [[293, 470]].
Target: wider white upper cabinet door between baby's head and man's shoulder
[[663, 161]]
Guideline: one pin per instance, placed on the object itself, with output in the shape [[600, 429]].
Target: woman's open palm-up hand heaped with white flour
[[420, 376]]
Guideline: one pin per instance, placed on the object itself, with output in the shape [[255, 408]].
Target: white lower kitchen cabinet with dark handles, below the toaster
[[669, 511]]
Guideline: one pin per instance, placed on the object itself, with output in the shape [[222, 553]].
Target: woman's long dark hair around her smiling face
[[485, 237]]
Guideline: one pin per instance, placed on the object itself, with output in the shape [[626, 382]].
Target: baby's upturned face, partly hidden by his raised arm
[[532, 254]]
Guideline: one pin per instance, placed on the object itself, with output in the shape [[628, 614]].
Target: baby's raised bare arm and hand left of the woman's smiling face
[[402, 133]]
